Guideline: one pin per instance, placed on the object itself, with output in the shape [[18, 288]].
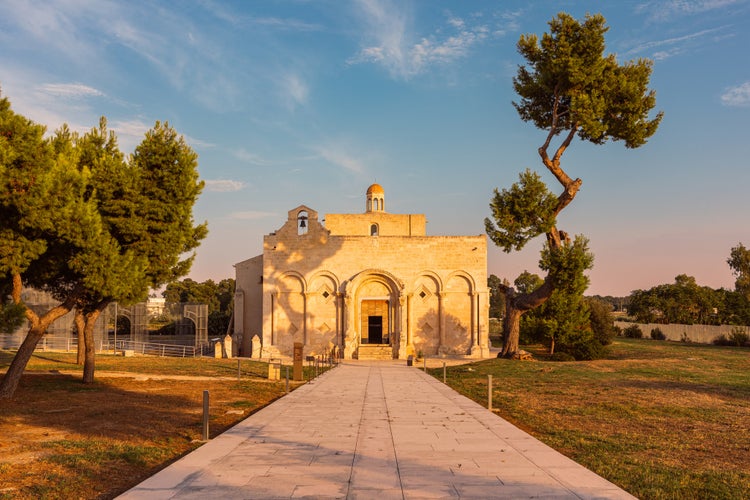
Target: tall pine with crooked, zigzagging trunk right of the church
[[568, 88]]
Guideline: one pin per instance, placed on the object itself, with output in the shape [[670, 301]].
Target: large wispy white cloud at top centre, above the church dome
[[390, 43]]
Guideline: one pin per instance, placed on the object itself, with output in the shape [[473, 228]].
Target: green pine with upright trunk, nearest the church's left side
[[148, 208]]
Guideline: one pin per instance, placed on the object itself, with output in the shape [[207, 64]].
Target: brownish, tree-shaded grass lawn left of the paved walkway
[[60, 438]]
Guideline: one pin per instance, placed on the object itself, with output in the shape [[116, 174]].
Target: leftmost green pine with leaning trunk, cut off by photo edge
[[46, 218]]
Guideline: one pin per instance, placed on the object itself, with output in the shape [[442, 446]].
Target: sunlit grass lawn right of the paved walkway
[[659, 419]]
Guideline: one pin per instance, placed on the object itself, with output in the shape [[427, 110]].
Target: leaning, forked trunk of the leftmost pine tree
[[37, 330]]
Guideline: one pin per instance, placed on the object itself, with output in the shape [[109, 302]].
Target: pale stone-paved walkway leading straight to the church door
[[374, 430]]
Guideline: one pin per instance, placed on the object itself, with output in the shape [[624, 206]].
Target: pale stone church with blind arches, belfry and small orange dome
[[364, 279]]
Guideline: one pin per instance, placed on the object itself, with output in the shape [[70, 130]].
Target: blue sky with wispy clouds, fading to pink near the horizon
[[309, 102]]
